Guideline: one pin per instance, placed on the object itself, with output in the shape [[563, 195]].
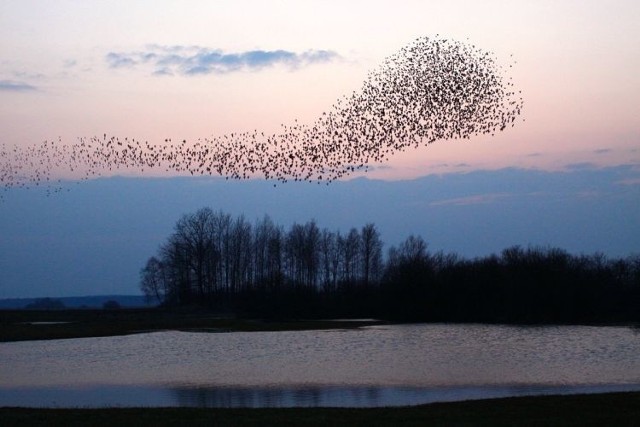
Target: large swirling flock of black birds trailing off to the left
[[433, 89]]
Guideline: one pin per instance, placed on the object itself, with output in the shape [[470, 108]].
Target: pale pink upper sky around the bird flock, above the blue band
[[576, 64]]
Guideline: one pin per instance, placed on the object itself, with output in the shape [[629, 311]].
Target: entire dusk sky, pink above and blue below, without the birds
[[152, 70]]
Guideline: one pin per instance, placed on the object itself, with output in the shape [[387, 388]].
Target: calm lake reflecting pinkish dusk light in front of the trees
[[364, 367]]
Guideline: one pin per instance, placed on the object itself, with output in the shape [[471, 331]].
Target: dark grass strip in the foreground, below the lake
[[610, 409]]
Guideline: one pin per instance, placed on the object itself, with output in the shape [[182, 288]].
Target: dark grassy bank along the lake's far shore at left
[[22, 325]]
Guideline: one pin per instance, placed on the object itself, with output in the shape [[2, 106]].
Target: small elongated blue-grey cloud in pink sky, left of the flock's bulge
[[194, 60]]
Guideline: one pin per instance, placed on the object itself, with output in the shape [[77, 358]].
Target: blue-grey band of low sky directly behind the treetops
[[95, 238]]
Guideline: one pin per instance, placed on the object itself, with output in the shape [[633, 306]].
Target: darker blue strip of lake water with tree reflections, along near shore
[[275, 397]]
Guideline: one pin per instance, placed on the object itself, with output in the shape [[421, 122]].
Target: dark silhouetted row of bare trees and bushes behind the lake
[[262, 269]]
